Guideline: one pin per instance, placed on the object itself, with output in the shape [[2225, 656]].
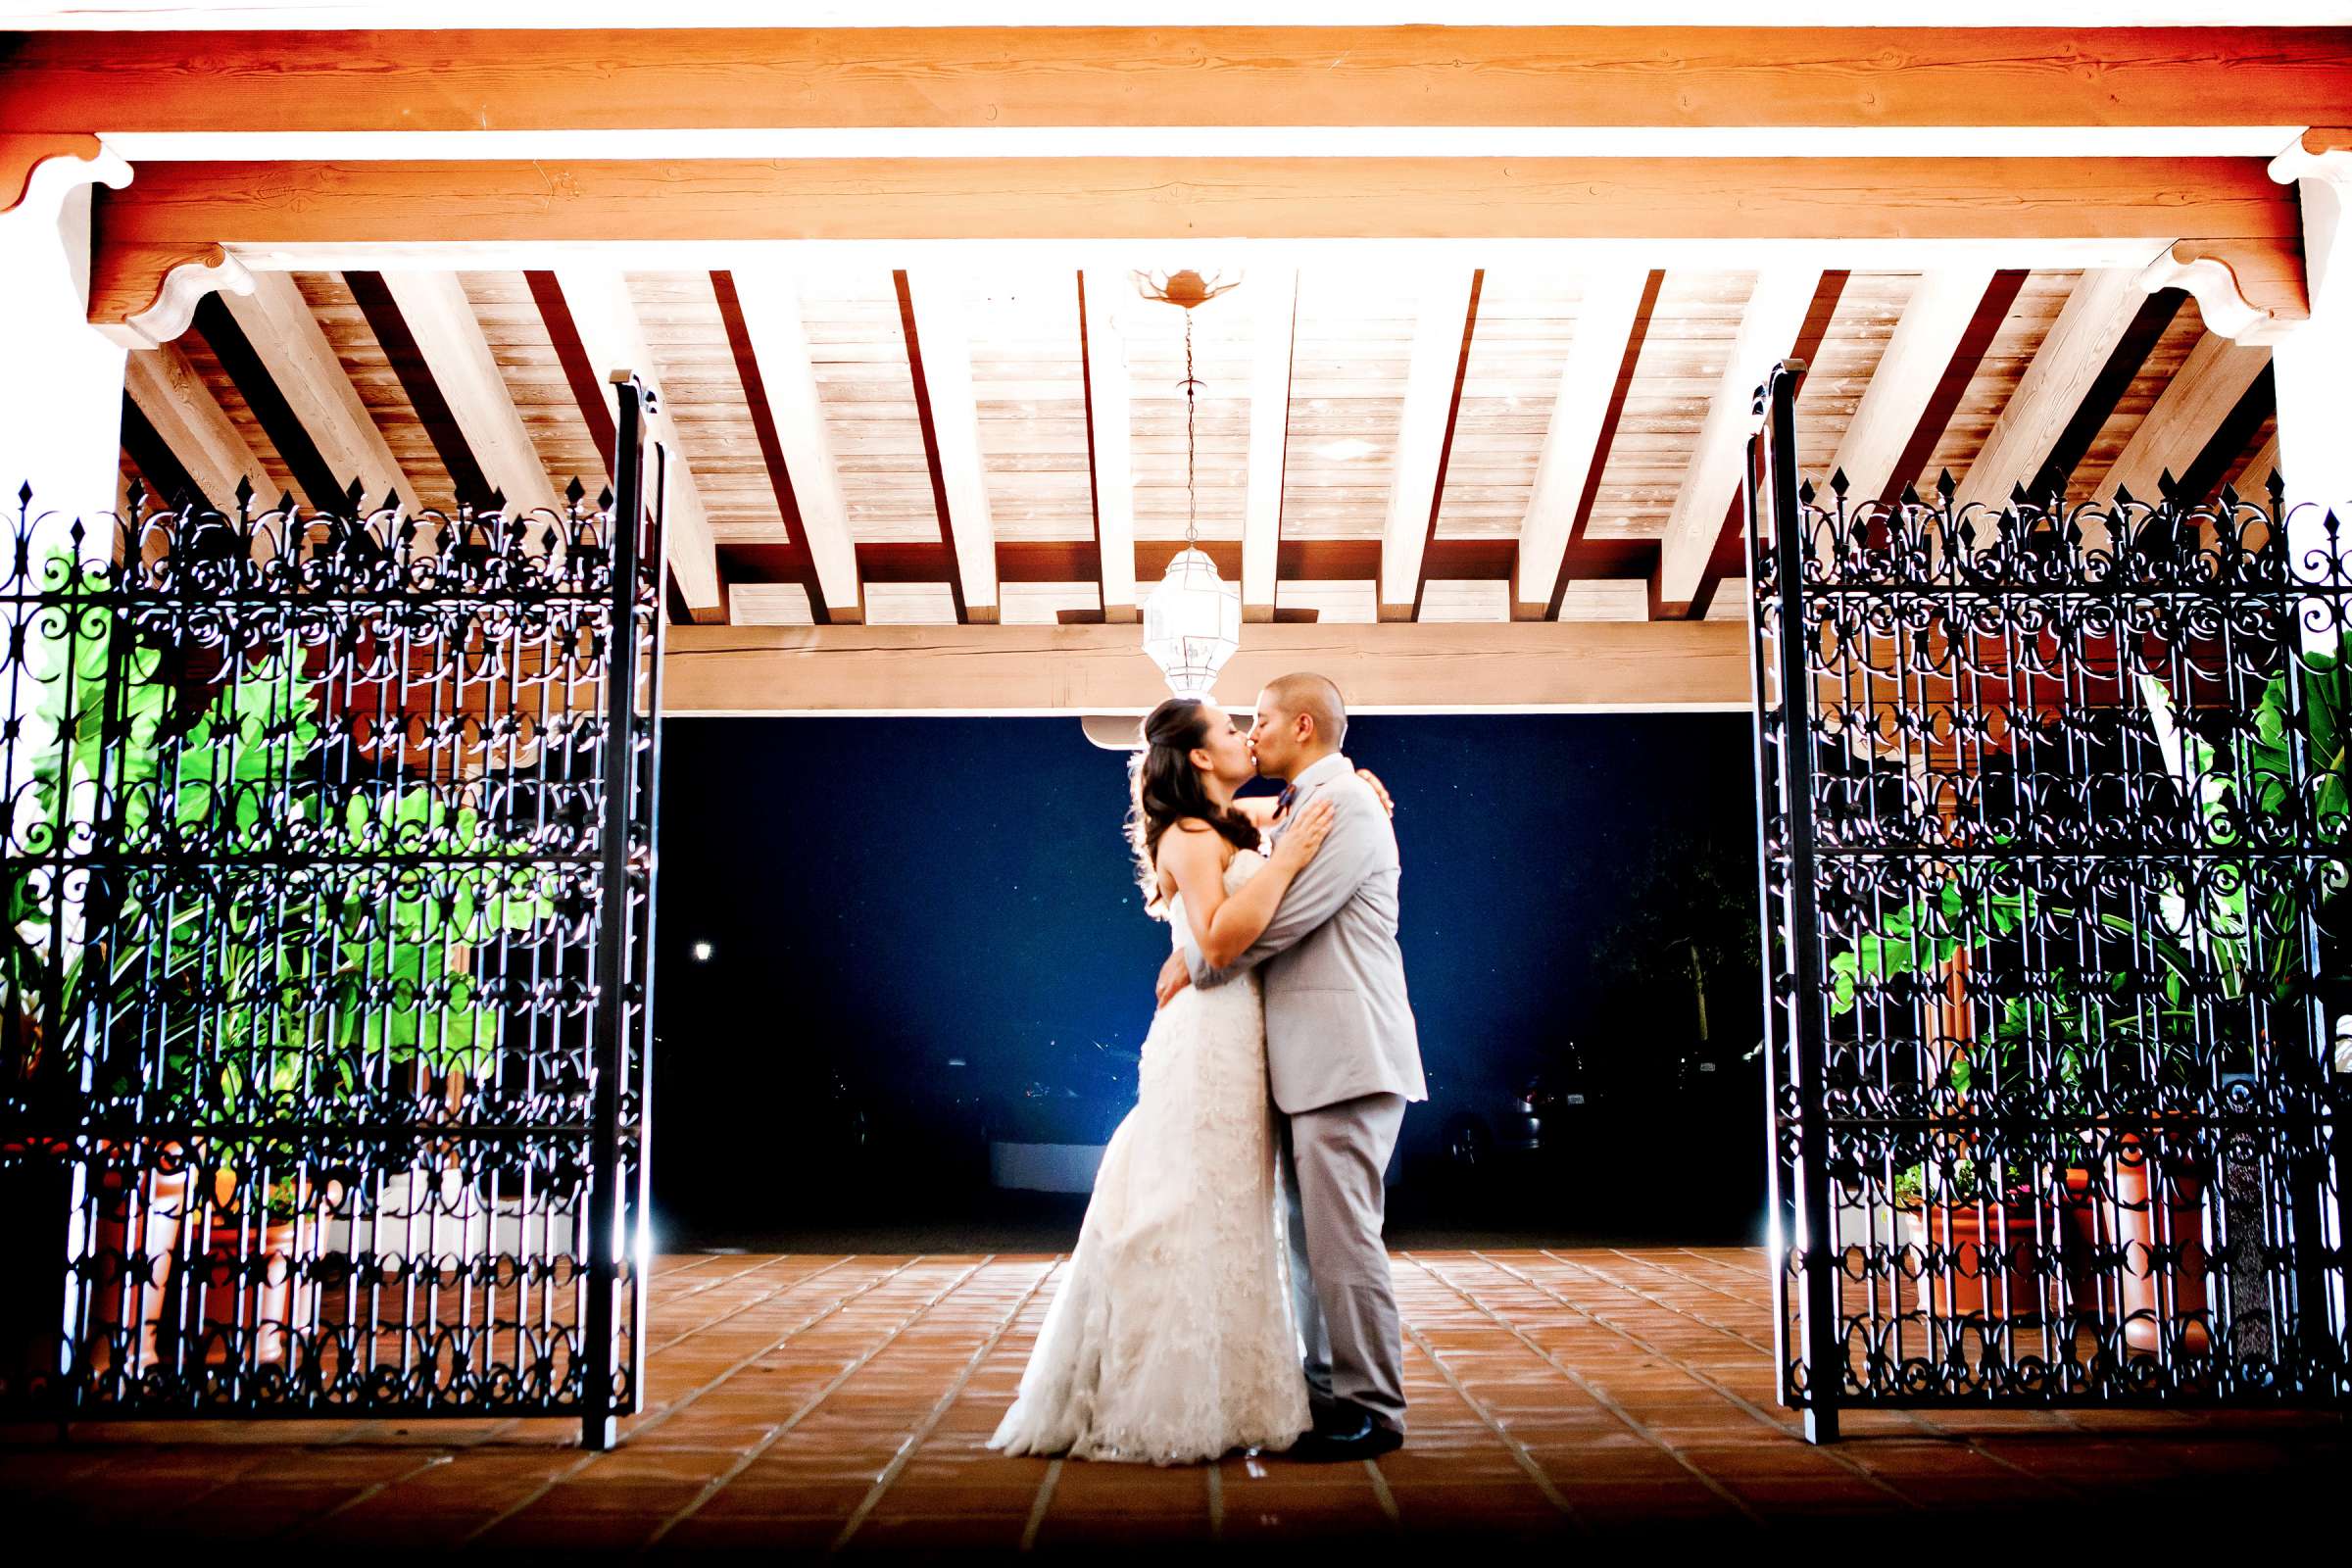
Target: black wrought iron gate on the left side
[[328, 960]]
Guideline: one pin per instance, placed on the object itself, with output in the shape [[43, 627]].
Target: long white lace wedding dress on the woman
[[1172, 1336]]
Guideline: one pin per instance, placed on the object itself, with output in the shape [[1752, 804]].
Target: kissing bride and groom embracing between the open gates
[[1229, 1287]]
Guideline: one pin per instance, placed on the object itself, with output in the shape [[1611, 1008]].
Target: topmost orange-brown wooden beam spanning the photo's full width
[[977, 79]]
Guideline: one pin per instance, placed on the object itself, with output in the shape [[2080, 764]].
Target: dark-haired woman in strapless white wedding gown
[[1172, 1334]]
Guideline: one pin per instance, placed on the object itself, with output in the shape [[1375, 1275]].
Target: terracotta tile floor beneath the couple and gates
[[843, 1402]]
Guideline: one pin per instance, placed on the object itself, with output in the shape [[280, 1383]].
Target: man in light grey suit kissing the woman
[[1344, 1061]]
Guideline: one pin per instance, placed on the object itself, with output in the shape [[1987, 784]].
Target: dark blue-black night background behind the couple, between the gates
[[926, 934]]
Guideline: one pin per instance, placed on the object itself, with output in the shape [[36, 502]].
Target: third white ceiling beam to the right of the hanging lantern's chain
[[1605, 323]]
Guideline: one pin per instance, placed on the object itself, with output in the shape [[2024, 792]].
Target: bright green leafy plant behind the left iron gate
[[262, 996]]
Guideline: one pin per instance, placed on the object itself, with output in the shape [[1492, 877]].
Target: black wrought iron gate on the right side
[[2054, 819]]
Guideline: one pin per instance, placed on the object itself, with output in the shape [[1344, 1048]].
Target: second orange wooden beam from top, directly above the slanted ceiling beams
[[309, 215]]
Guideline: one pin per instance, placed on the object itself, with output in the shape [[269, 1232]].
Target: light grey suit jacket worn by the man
[[1337, 1019]]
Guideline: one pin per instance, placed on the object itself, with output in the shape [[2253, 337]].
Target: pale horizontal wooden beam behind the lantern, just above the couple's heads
[[1097, 669]]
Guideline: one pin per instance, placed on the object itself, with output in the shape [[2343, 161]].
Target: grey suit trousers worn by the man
[[1347, 1306]]
